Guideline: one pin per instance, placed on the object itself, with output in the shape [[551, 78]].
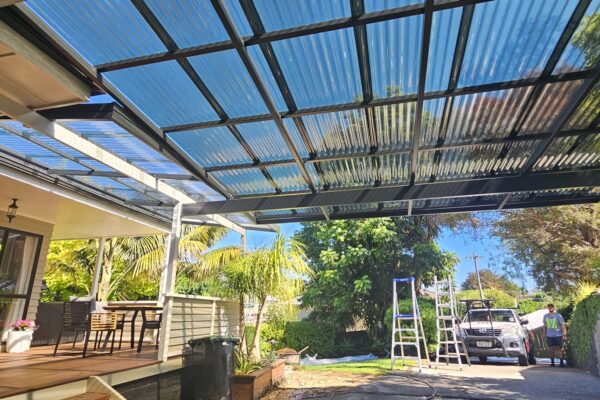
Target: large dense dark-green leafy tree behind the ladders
[[356, 260]]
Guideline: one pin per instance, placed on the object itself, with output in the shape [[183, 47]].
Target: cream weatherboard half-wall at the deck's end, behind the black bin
[[195, 317]]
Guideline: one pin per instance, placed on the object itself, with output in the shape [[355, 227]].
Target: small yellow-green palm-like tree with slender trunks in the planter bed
[[277, 271]]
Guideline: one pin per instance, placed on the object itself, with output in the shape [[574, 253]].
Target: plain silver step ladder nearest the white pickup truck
[[447, 326]]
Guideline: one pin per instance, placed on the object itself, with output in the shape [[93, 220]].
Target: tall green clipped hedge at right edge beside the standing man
[[581, 331]]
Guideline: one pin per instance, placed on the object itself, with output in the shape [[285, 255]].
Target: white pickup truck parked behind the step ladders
[[497, 332]]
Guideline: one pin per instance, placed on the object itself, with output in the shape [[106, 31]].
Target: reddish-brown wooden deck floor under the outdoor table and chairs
[[38, 369]]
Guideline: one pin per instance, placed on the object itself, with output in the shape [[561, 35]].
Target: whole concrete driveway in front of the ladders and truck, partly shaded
[[502, 379]]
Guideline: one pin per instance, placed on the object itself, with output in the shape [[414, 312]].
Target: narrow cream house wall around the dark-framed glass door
[[44, 229]]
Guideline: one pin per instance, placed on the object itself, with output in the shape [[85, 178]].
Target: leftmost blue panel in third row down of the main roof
[[211, 147]]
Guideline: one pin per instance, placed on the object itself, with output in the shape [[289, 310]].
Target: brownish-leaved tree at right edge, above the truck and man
[[559, 245]]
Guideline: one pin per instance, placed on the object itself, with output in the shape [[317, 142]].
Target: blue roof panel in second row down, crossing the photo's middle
[[321, 69]]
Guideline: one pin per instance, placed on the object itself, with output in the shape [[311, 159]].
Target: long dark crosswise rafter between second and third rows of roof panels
[[519, 83]]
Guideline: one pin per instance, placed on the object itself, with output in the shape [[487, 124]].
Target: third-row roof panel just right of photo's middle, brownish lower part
[[338, 133]]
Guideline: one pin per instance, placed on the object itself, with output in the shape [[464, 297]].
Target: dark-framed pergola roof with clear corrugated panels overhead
[[272, 111]]
